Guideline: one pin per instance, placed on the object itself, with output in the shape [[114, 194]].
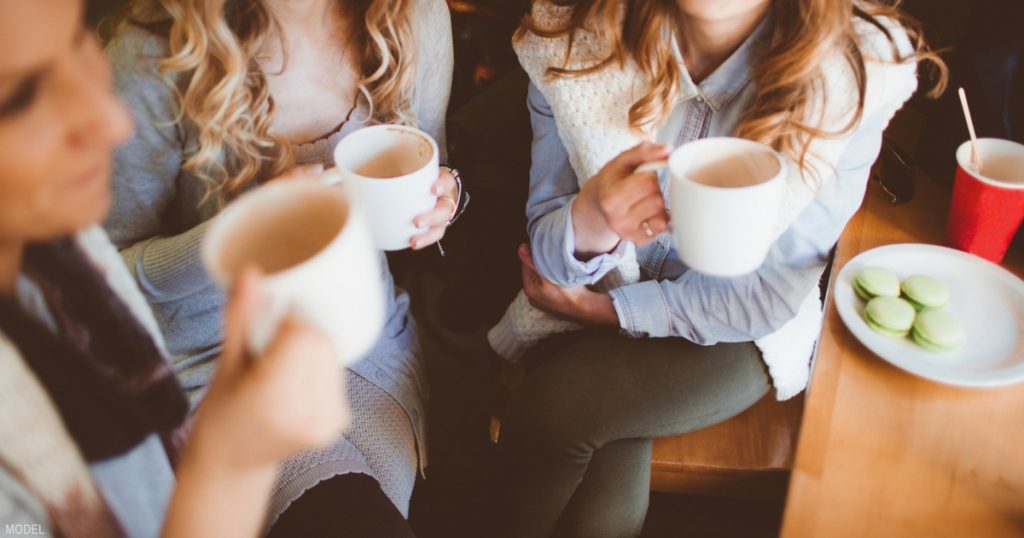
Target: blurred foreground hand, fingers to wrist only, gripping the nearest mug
[[262, 410]]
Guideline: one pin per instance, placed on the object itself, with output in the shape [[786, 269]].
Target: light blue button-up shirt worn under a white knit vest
[[671, 300]]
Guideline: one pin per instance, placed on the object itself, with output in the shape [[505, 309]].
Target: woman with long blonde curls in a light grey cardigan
[[230, 95]]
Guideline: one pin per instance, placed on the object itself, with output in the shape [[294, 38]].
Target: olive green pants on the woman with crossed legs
[[576, 445]]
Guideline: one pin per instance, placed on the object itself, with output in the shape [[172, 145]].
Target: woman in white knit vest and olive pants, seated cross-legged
[[668, 350]]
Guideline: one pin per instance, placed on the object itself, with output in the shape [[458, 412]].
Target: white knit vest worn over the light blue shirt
[[591, 115]]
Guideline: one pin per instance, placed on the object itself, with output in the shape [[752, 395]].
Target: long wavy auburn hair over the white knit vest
[[788, 77]]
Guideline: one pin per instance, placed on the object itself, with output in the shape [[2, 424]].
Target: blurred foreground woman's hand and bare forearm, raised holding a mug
[[259, 412]]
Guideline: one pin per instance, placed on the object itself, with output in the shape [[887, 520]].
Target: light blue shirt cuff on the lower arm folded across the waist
[[643, 310]]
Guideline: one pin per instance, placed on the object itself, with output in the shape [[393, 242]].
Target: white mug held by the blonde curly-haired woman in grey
[[391, 170]]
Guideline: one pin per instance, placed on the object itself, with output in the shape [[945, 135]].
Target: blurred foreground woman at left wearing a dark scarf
[[94, 421]]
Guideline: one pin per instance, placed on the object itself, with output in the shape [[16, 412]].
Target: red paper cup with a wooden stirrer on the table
[[988, 209]]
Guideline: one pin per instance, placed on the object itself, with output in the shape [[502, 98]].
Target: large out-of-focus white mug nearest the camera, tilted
[[314, 246]]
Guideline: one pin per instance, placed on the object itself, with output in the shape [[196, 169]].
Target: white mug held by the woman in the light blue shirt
[[726, 196]]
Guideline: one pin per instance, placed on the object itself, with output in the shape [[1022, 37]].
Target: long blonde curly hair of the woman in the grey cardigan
[[211, 64]]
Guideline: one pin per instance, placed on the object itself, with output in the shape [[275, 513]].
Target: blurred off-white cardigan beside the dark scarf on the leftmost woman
[[34, 444]]
